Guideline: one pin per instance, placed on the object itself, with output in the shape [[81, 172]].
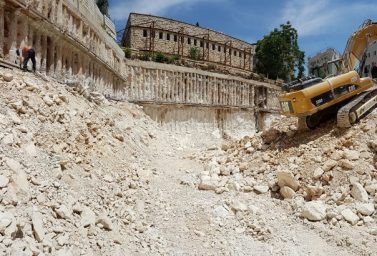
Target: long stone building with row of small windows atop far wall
[[157, 34]]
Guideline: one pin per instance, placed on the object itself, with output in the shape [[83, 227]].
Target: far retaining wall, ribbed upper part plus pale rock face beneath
[[191, 101]]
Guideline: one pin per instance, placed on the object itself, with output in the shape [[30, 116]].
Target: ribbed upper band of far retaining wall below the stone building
[[150, 82]]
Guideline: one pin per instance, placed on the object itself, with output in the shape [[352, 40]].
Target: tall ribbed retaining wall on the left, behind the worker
[[67, 37]]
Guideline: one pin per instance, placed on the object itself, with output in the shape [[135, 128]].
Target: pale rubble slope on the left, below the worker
[[69, 169]]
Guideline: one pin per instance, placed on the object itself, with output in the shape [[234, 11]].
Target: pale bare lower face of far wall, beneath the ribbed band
[[200, 124]]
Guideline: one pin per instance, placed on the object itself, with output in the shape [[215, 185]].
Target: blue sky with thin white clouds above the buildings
[[320, 23]]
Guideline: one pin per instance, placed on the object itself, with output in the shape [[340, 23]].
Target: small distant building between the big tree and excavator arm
[[323, 63]]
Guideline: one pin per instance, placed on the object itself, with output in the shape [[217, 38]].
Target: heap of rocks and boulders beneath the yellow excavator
[[327, 175]]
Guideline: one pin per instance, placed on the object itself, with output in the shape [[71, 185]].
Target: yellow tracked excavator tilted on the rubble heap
[[345, 94]]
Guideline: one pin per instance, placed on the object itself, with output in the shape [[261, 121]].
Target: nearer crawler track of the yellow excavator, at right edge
[[357, 108]]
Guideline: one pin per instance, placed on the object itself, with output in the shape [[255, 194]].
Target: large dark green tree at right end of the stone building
[[278, 54]]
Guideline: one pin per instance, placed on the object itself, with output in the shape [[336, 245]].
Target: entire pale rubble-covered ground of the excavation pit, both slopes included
[[81, 175]]
